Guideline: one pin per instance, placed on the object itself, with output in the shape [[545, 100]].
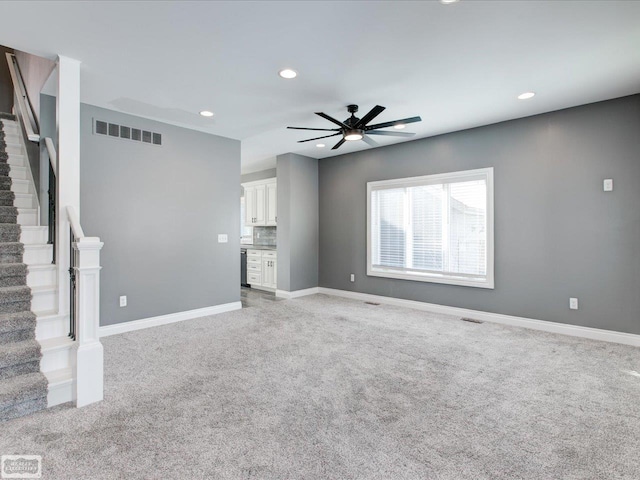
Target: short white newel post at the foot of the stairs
[[89, 372]]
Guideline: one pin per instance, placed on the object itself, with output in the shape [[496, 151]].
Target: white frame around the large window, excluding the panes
[[422, 276]]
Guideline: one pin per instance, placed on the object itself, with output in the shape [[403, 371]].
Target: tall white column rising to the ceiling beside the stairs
[[68, 167]]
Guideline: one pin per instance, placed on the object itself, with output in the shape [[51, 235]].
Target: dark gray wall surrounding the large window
[[557, 234]]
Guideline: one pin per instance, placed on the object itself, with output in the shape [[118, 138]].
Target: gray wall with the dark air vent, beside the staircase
[[159, 211]]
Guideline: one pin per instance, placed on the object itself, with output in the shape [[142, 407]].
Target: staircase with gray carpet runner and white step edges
[[35, 351]]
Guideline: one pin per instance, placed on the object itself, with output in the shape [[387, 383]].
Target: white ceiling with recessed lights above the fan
[[458, 66]]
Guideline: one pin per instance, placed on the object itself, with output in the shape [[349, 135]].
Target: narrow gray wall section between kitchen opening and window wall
[[298, 222]]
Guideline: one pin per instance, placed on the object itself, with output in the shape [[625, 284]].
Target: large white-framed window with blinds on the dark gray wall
[[437, 228]]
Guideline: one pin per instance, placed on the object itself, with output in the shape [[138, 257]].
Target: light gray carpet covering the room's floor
[[322, 387]]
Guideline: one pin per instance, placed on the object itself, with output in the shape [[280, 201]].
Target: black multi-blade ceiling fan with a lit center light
[[354, 128]]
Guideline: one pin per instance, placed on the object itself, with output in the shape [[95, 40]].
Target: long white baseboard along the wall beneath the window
[[543, 325]]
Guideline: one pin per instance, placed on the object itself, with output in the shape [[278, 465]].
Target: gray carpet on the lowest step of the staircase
[[22, 395]]
